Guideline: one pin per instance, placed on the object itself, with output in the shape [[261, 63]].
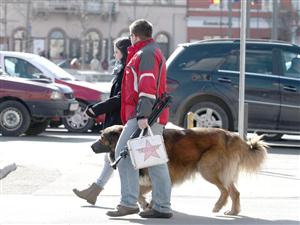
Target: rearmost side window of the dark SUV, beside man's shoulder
[[205, 58]]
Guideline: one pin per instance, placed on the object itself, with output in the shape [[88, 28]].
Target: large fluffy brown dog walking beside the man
[[216, 154]]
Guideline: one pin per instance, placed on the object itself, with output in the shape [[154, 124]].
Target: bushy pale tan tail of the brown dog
[[256, 154]]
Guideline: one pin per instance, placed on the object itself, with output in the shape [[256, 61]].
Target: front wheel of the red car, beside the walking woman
[[79, 122]]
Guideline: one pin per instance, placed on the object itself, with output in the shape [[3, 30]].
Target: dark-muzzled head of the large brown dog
[[108, 139]]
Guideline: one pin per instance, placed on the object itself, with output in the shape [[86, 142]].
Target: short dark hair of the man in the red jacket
[[141, 28]]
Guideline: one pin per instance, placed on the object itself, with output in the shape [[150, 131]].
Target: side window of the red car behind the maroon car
[[20, 68]]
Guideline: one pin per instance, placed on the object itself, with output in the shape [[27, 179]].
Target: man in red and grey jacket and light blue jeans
[[144, 80]]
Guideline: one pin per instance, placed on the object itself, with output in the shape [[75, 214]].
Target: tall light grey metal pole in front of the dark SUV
[[242, 69]]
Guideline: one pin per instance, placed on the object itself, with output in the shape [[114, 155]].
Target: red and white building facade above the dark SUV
[[267, 19]]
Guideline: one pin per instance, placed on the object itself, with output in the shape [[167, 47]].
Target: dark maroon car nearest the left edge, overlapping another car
[[27, 106]]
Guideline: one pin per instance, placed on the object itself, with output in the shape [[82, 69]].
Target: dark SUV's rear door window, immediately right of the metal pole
[[259, 62]]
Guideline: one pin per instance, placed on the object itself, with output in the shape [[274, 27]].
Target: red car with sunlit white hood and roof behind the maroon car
[[35, 67]]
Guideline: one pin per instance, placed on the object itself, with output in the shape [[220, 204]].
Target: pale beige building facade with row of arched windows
[[74, 28]]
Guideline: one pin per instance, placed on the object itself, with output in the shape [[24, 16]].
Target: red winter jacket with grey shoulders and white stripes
[[140, 81]]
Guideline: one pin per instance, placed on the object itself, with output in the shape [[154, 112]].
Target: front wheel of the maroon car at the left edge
[[14, 118]]
